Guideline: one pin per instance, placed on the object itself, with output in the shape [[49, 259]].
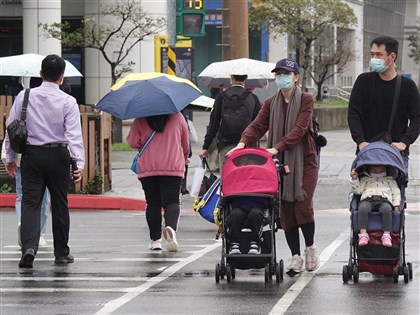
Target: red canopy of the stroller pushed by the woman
[[250, 170]]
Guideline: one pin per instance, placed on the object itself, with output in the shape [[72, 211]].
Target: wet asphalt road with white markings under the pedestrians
[[115, 273]]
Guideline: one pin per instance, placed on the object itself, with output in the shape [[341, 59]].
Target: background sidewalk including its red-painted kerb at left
[[127, 194]]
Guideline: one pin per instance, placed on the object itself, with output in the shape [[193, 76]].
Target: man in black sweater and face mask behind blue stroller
[[372, 97]]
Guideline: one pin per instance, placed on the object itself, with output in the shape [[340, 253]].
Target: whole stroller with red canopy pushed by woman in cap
[[249, 210]]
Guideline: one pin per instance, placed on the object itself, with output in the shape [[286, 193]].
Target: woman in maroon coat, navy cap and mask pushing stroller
[[287, 116]]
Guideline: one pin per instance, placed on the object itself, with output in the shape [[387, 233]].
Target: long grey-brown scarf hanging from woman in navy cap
[[279, 126]]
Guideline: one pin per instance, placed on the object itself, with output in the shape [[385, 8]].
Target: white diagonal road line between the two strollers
[[287, 299]]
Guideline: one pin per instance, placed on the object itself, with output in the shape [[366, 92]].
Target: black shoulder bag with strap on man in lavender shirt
[[18, 134]]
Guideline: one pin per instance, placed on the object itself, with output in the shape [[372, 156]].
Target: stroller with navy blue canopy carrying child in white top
[[372, 253]]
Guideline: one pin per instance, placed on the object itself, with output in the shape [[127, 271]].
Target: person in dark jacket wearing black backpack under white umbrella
[[233, 110]]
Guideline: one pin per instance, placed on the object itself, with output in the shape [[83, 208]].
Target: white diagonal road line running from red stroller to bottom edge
[[113, 305]]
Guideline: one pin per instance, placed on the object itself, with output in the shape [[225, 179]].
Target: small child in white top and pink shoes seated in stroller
[[378, 192]]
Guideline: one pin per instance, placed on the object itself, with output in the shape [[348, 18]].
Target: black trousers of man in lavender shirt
[[43, 167]]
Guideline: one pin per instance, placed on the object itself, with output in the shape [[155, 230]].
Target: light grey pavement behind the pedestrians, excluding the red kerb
[[336, 159]]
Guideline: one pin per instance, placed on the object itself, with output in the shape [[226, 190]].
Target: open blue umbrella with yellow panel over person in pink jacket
[[148, 94]]
